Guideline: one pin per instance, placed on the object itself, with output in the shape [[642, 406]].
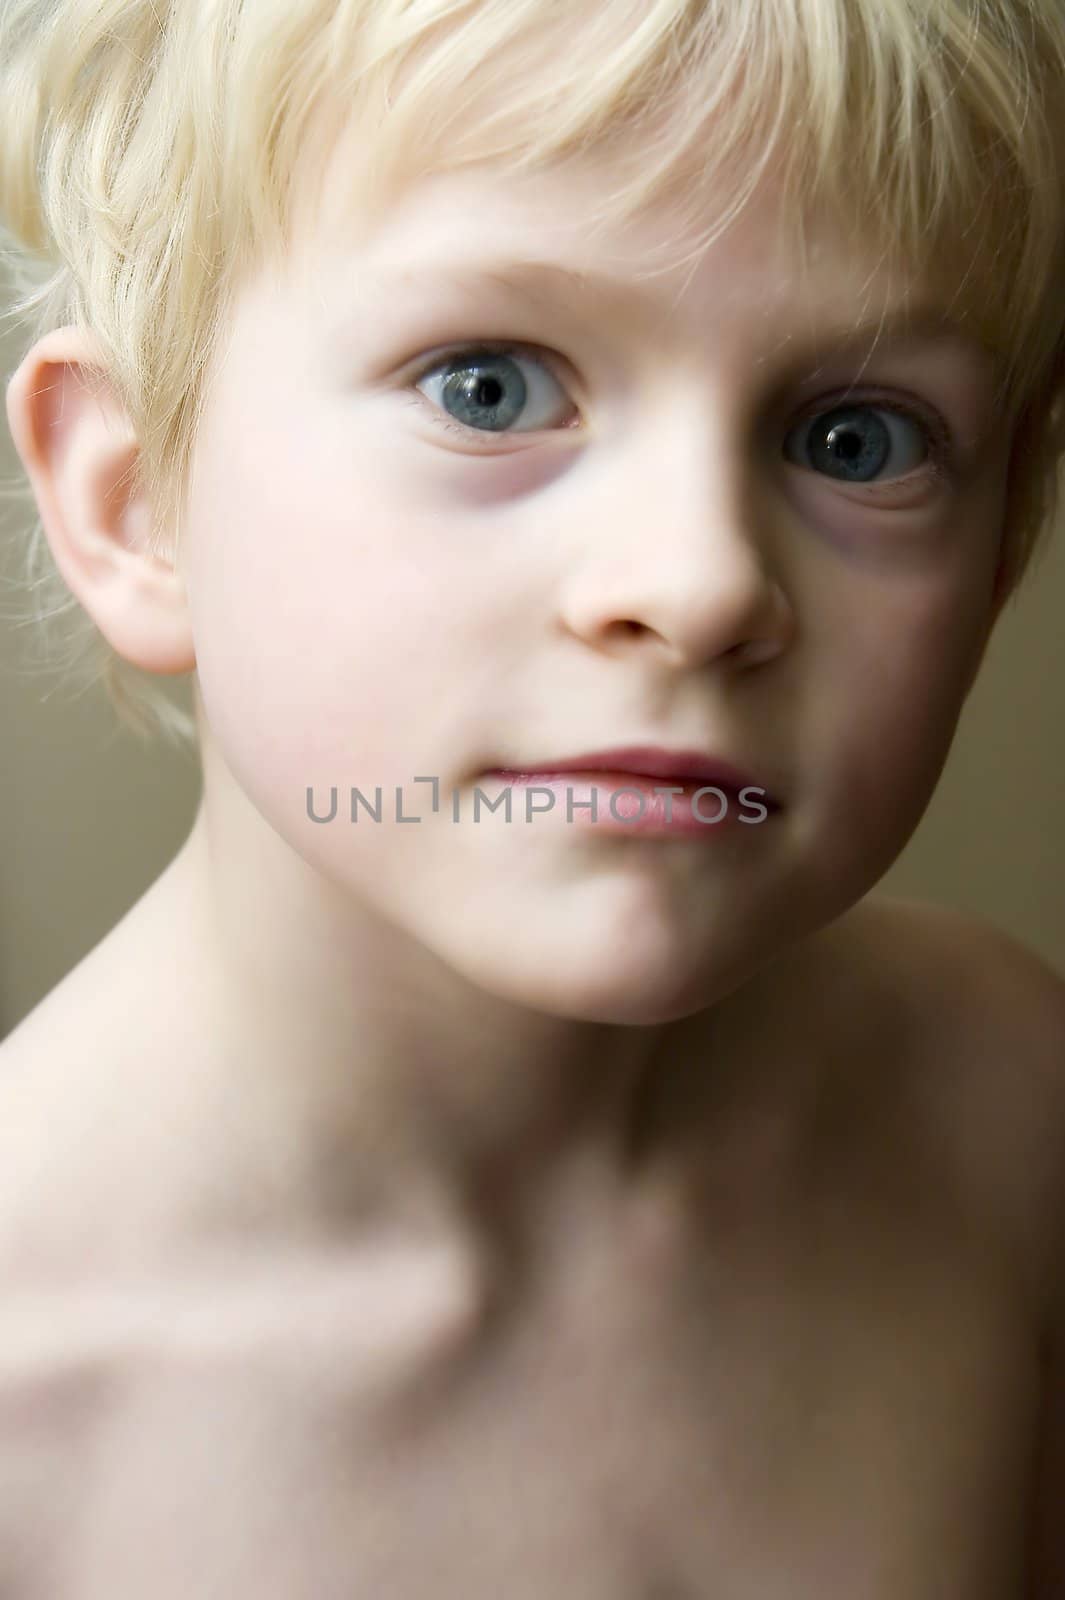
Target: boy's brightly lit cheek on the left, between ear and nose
[[311, 639]]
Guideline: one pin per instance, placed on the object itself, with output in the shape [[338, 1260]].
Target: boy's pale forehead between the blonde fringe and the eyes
[[481, 231]]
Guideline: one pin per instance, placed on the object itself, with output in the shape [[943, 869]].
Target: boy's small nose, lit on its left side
[[679, 572]]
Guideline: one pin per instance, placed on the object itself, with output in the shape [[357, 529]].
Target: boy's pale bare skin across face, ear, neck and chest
[[463, 1212]]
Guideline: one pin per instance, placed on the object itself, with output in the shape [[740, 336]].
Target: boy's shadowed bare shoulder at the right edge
[[981, 1026]]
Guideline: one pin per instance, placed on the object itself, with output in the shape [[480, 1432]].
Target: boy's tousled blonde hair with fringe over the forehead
[[151, 159]]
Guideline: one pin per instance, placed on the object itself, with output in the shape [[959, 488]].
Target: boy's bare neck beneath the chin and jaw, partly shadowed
[[383, 1090]]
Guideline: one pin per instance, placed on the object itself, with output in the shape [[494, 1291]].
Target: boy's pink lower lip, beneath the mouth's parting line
[[696, 812]]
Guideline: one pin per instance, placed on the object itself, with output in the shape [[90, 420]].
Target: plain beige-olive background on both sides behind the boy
[[89, 818]]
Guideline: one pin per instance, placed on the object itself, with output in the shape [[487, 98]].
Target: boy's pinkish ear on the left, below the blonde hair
[[78, 447]]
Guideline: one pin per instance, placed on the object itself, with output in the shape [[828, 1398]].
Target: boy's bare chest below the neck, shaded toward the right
[[828, 1409]]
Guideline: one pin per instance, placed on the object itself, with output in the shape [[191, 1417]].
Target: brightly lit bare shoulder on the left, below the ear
[[97, 1111]]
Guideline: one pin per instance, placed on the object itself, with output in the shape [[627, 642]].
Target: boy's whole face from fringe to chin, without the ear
[[653, 545]]
